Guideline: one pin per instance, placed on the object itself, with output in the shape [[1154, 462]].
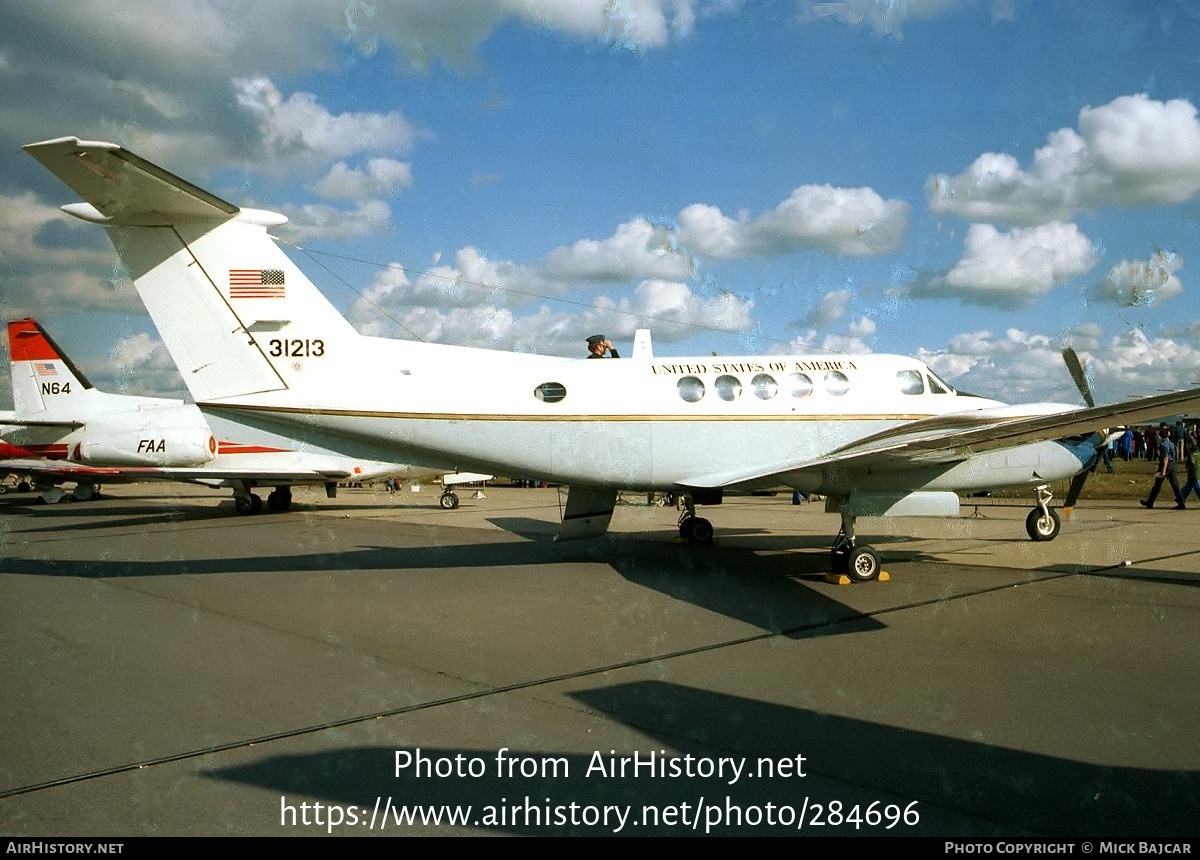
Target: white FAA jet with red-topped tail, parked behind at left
[[65, 430]]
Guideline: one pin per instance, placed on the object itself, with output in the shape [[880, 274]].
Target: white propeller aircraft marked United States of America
[[257, 344]]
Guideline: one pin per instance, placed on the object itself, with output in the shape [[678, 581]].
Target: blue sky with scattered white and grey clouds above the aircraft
[[975, 183]]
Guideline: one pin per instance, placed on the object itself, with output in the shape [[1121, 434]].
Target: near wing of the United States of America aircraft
[[953, 438]]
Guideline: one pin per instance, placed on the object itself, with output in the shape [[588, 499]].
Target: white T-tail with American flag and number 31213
[[237, 316]]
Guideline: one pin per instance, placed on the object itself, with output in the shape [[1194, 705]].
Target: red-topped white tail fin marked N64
[[45, 382]]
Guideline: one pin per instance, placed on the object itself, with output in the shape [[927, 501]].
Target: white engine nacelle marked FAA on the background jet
[[145, 447]]
